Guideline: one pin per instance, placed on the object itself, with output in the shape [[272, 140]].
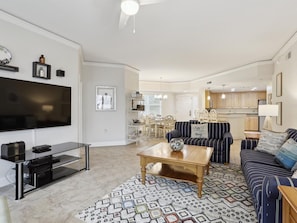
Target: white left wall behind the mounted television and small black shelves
[[26, 44]]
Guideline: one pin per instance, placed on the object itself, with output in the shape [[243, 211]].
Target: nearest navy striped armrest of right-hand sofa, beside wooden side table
[[272, 199]]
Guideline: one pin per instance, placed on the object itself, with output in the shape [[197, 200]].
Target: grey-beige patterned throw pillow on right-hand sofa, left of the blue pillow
[[270, 142]]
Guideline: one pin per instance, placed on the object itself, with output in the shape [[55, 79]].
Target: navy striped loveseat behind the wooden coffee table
[[219, 137]]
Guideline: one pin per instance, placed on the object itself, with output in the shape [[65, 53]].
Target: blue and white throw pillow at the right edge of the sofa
[[287, 155]]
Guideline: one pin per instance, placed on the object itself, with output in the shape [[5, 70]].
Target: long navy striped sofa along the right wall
[[263, 175]]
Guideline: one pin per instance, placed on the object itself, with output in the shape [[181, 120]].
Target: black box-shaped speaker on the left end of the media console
[[13, 151]]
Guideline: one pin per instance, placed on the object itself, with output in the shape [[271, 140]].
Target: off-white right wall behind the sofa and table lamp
[[288, 68]]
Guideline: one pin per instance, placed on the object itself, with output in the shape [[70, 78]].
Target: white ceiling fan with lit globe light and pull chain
[[130, 8]]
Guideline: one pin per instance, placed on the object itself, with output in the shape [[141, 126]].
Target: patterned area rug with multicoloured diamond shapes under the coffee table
[[225, 198]]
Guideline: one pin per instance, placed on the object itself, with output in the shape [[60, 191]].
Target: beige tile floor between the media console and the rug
[[60, 201]]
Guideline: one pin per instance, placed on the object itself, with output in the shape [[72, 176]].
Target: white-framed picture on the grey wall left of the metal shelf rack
[[105, 98]]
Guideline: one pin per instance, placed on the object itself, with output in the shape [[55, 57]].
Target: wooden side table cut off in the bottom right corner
[[289, 204]]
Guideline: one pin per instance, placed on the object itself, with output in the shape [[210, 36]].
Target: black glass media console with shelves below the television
[[47, 166]]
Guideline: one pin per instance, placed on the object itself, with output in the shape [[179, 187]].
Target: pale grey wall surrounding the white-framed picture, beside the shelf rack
[[103, 128]]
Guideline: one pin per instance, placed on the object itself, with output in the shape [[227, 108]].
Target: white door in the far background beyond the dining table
[[184, 107]]
